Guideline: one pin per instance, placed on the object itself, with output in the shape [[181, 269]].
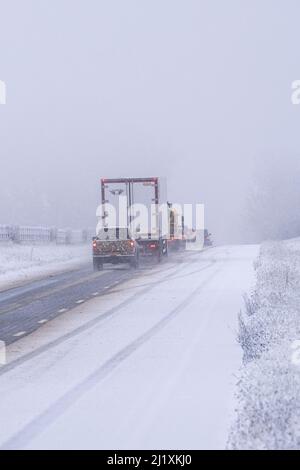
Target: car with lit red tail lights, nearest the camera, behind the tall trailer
[[115, 245]]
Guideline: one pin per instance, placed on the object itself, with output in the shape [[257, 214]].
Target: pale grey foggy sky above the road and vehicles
[[197, 91]]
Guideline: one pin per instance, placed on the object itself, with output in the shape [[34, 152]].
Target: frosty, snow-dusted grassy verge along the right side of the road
[[268, 412]]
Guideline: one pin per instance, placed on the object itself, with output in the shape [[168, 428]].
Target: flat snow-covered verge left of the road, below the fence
[[20, 263]]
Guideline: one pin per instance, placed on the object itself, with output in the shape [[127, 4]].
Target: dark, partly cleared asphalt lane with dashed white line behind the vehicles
[[25, 309]]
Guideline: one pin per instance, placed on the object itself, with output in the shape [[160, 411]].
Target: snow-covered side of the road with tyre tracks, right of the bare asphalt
[[149, 365]]
